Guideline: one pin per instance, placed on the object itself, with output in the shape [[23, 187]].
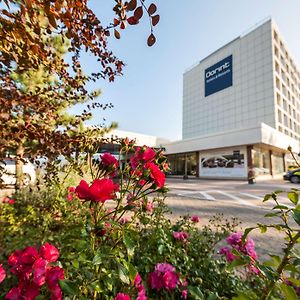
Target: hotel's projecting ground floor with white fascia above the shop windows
[[260, 152]]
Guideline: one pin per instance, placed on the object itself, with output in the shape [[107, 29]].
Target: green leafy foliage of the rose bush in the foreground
[[104, 245]]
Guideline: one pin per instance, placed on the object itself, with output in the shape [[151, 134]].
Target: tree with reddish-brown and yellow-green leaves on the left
[[32, 112]]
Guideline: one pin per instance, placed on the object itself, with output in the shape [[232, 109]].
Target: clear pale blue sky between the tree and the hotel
[[148, 98]]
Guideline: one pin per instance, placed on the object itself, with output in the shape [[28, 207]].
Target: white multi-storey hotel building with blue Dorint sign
[[243, 98]]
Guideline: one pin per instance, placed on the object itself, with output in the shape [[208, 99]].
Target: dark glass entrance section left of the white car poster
[[177, 163]]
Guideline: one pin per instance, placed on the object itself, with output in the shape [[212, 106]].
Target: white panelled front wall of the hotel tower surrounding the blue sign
[[247, 103]]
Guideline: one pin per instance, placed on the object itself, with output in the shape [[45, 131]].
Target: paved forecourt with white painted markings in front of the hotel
[[207, 198]]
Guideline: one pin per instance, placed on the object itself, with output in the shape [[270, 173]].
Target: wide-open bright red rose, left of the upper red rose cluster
[[100, 190]]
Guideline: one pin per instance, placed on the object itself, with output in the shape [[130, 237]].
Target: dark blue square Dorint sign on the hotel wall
[[219, 76]]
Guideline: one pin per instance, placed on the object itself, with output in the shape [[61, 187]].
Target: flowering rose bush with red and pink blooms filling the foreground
[[115, 240]]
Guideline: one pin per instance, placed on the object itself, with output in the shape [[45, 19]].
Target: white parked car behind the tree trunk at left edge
[[8, 172]]
